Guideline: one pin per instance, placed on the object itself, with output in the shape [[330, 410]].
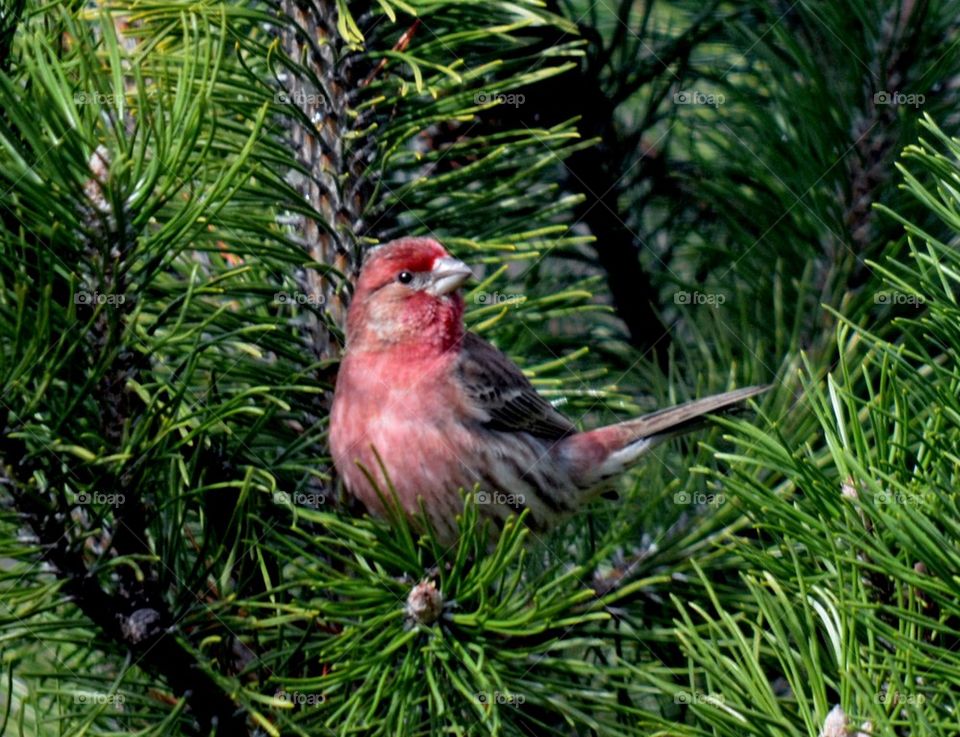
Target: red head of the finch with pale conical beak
[[408, 294]]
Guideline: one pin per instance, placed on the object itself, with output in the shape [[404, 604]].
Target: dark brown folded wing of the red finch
[[497, 387]]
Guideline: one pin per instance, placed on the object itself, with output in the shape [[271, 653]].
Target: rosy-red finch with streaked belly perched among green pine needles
[[444, 409]]
